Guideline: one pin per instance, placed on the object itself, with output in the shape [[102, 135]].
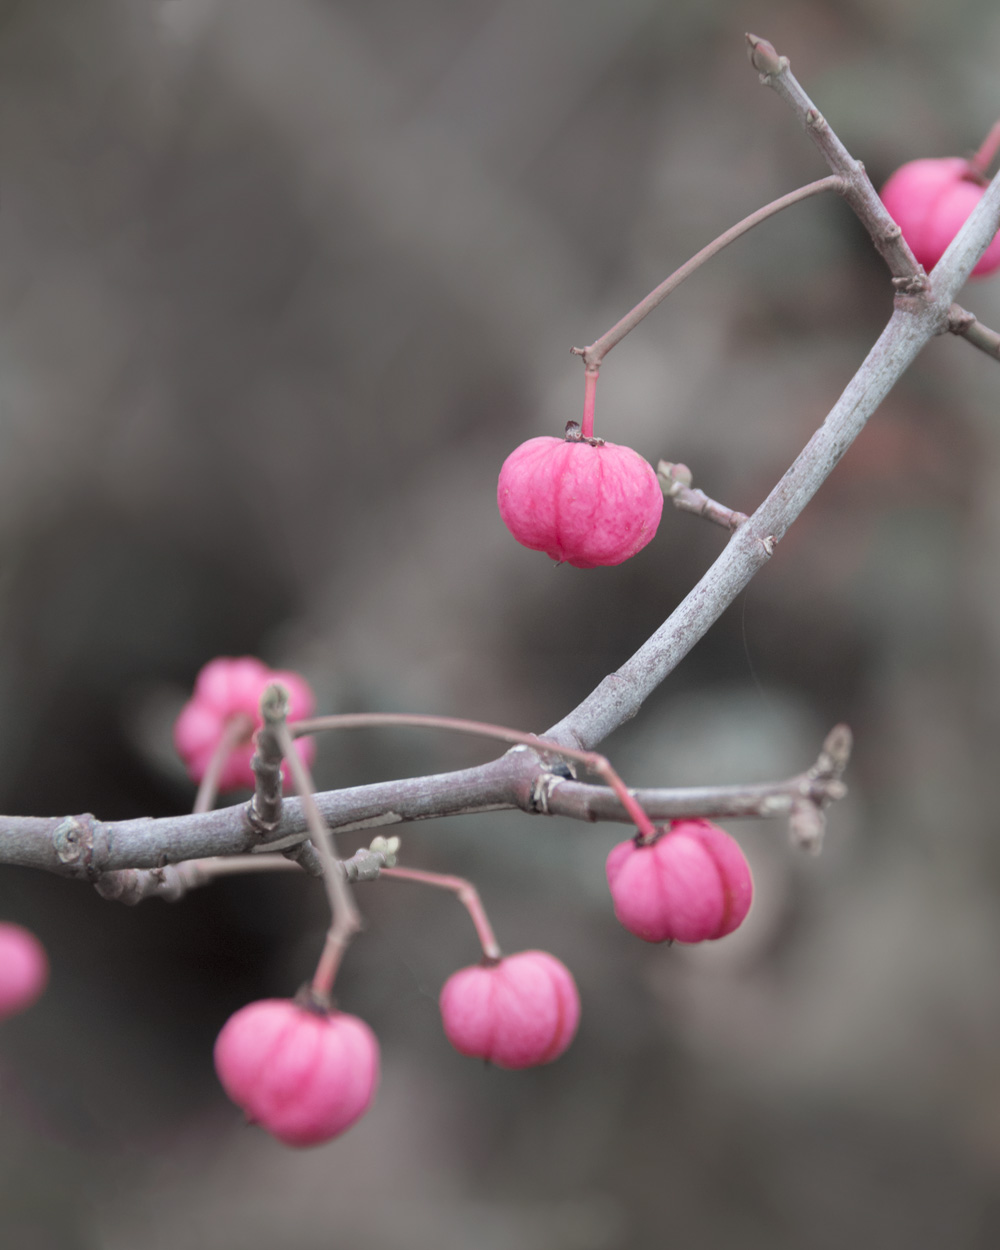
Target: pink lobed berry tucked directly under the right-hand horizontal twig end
[[691, 886]]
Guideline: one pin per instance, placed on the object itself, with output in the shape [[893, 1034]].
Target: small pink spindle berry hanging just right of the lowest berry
[[517, 1013]]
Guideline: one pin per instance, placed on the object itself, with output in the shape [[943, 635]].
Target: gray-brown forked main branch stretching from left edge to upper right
[[87, 848]]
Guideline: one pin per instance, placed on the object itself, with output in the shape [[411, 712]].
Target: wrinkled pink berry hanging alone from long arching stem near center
[[584, 504]]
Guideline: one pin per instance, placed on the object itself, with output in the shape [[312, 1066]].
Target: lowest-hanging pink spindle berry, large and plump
[[304, 1076]]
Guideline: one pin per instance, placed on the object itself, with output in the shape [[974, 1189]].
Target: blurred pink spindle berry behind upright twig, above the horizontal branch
[[228, 688]]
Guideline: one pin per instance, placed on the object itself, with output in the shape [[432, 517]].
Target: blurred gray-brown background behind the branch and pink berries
[[282, 283]]
